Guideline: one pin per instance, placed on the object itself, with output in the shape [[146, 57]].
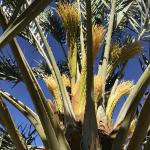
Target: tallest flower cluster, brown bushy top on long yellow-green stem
[[71, 19]]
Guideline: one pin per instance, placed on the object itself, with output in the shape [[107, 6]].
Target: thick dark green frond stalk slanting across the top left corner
[[22, 18]]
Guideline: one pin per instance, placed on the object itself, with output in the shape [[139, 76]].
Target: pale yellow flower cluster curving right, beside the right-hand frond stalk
[[122, 89]]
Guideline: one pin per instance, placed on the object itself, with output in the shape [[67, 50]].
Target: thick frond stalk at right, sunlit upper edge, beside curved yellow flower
[[127, 112]]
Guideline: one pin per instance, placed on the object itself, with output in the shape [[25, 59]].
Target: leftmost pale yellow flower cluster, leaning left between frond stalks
[[53, 88]]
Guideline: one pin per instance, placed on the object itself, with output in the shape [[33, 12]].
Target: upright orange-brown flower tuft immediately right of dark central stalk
[[97, 35]]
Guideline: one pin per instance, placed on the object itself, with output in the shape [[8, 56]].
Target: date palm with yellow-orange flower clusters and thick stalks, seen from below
[[101, 36]]
